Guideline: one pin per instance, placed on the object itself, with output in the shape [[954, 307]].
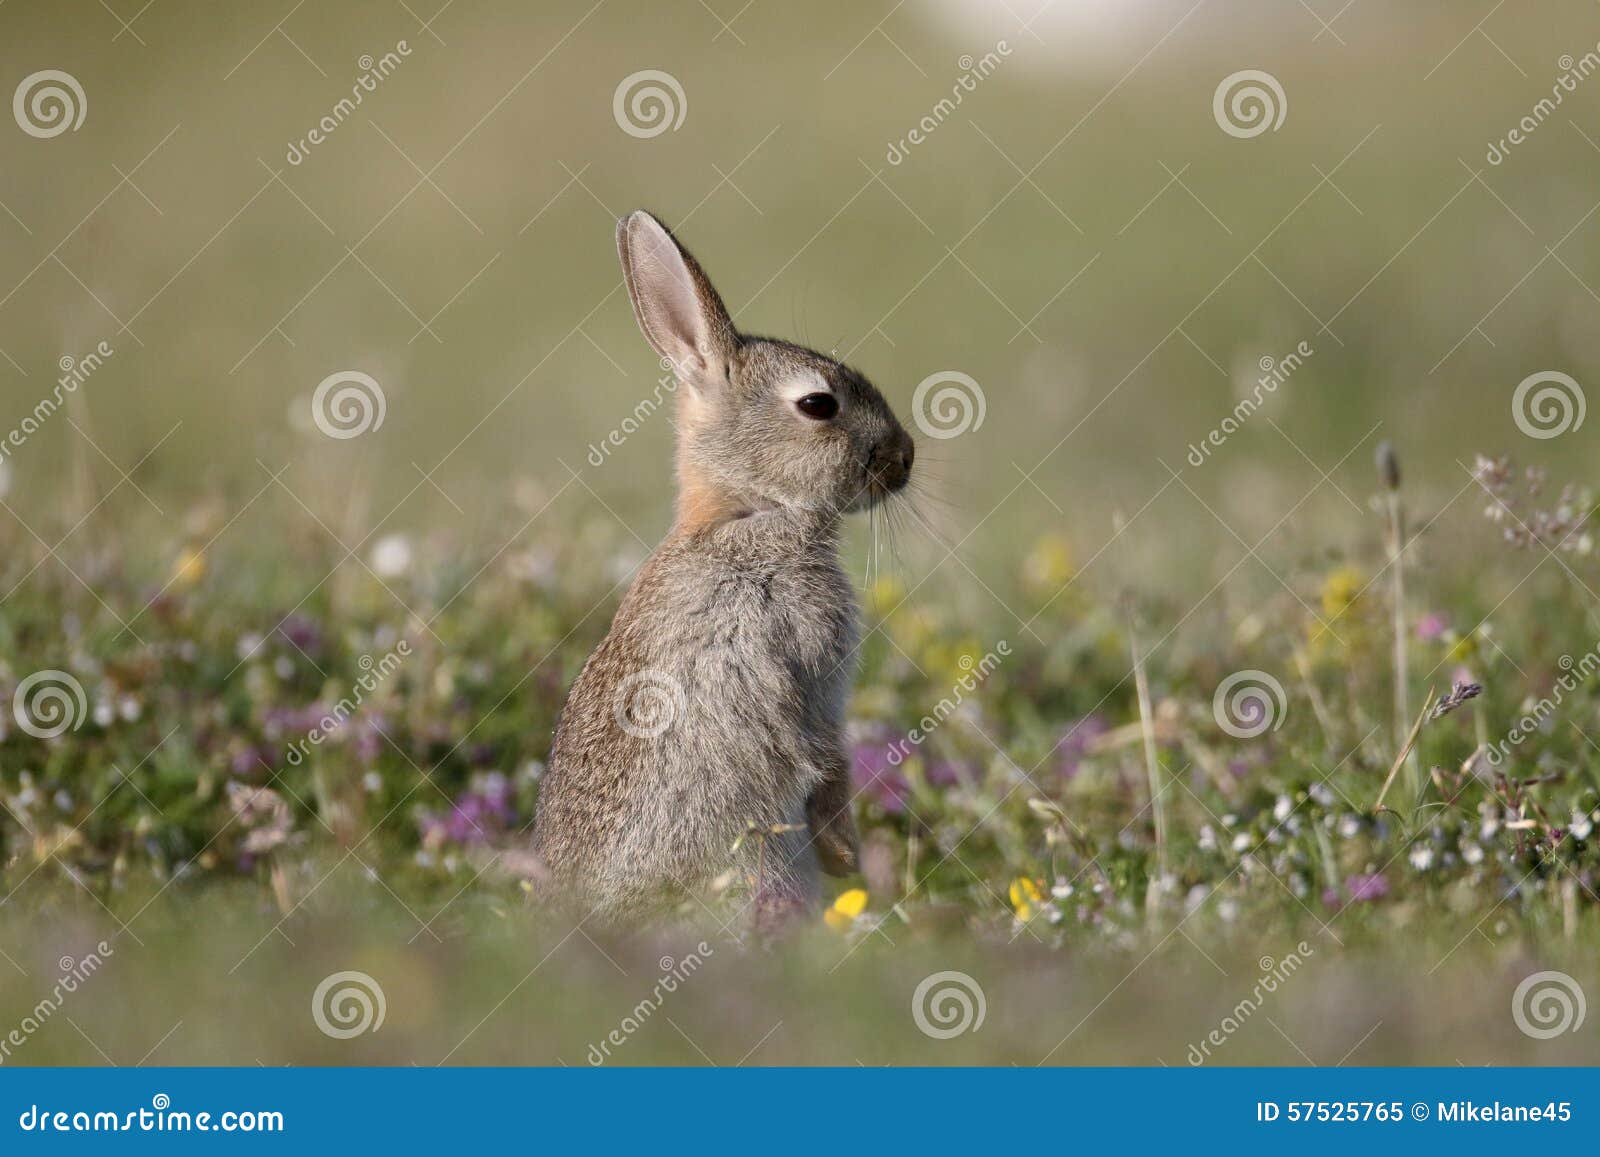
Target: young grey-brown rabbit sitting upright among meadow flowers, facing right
[[708, 731]]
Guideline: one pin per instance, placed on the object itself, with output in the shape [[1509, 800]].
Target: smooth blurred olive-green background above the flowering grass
[[1079, 236]]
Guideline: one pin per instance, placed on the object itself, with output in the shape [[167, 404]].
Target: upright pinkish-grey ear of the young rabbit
[[678, 310]]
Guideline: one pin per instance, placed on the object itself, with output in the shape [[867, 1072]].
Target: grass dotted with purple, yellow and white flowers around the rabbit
[[1114, 854]]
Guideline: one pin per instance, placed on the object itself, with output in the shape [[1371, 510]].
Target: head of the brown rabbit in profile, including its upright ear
[[762, 423]]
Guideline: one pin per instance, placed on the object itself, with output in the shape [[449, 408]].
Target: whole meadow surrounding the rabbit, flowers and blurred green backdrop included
[[1230, 679]]
